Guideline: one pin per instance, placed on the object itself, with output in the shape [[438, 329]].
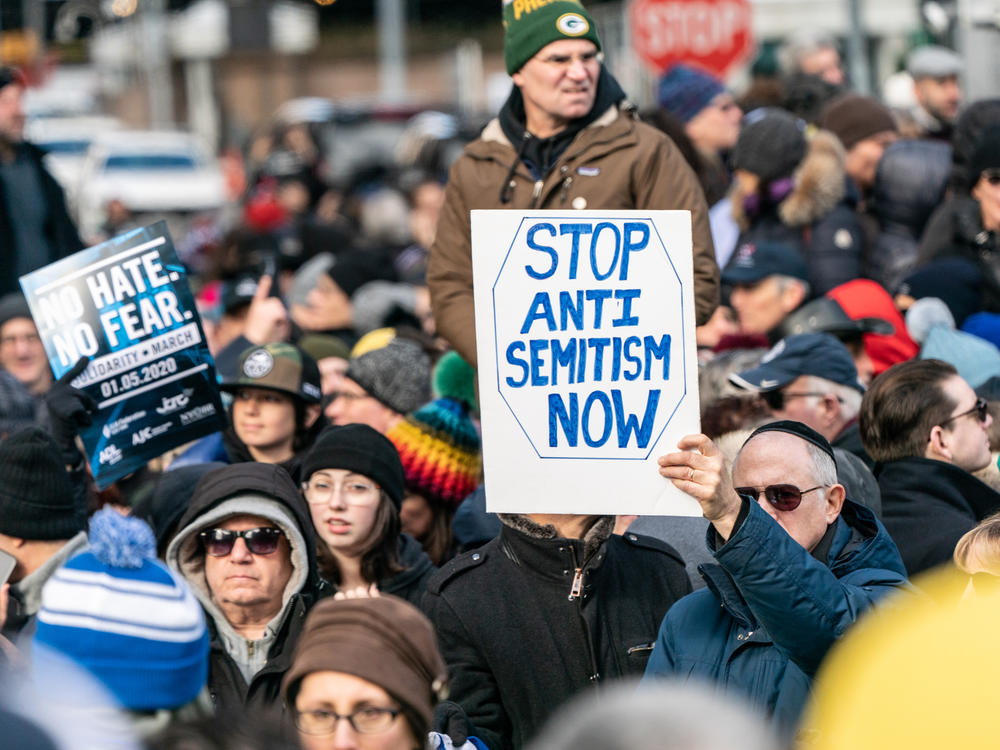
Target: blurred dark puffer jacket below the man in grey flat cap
[[909, 184]]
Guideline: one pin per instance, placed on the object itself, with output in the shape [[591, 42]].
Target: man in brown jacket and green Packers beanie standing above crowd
[[565, 139]]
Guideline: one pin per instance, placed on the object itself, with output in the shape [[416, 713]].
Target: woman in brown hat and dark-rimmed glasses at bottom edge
[[366, 674]]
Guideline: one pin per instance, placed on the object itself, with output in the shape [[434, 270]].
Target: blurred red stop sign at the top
[[712, 34]]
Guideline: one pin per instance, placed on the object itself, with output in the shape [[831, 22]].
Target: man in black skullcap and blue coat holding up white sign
[[796, 563]]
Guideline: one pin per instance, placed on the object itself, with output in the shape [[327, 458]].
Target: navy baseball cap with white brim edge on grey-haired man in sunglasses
[[818, 354]]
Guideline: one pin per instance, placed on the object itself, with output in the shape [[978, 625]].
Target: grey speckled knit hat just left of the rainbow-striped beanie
[[398, 375]]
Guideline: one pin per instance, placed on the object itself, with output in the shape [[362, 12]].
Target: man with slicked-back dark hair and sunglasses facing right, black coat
[[925, 426]]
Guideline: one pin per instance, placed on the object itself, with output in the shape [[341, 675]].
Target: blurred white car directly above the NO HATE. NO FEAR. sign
[[156, 174]]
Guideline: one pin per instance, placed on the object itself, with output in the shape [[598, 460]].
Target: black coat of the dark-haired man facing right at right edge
[[928, 505]]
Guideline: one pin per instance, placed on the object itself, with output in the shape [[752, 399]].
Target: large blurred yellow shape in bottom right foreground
[[920, 672]]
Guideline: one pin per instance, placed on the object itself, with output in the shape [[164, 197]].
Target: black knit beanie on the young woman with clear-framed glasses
[[363, 450]]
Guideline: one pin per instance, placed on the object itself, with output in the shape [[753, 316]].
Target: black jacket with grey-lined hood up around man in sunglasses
[[262, 490]]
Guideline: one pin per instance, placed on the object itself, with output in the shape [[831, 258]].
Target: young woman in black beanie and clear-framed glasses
[[353, 482]]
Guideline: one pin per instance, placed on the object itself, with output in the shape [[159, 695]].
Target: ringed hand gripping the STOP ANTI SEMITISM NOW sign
[[700, 470]]
